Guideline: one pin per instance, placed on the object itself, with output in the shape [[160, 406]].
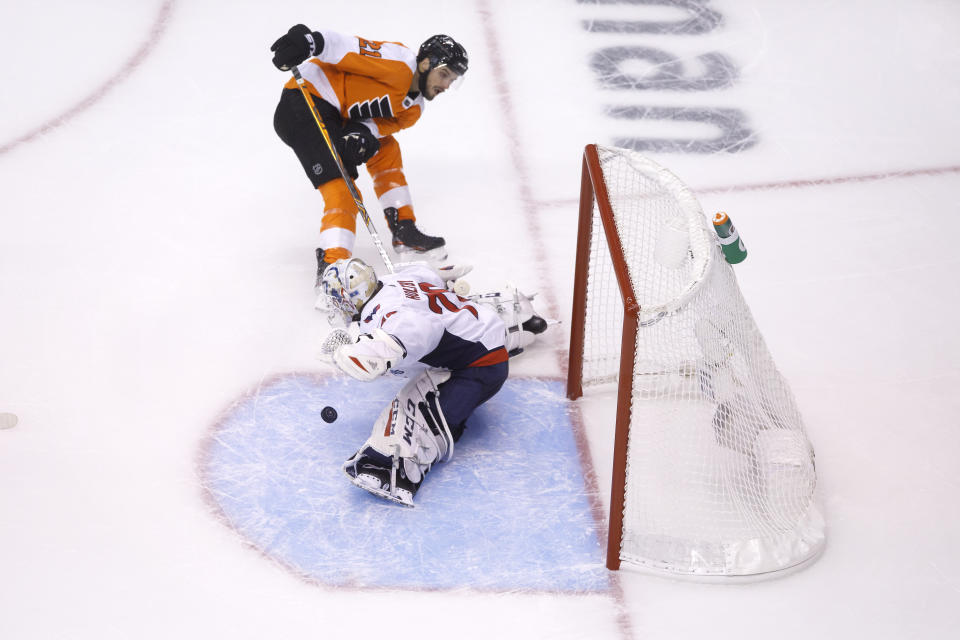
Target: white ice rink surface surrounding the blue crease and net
[[156, 262]]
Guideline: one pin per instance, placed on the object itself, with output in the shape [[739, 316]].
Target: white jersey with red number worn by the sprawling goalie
[[436, 327]]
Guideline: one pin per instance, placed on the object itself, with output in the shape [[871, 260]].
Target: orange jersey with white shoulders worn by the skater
[[366, 80]]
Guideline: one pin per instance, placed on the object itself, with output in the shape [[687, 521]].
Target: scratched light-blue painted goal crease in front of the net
[[509, 512]]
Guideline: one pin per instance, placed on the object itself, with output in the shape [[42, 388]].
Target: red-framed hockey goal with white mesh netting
[[713, 474]]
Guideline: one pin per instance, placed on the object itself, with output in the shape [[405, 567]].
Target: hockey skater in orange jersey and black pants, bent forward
[[365, 91]]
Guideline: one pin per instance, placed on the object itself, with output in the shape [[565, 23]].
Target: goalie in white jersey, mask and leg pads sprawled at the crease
[[455, 351]]
